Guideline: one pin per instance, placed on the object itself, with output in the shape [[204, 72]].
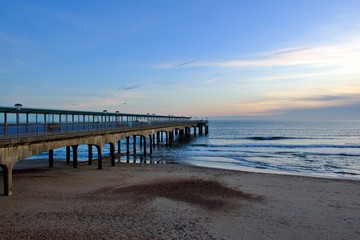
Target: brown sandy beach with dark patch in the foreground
[[172, 201]]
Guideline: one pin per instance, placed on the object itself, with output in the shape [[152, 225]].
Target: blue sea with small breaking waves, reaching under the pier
[[328, 149]]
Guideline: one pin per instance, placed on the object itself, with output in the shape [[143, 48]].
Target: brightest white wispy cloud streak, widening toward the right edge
[[318, 56]]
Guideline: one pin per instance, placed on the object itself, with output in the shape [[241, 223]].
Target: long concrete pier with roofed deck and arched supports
[[25, 132]]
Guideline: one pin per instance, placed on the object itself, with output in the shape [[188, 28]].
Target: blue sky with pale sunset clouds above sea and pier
[[214, 58]]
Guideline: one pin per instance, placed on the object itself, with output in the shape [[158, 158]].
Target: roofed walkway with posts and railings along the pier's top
[[22, 124]]
